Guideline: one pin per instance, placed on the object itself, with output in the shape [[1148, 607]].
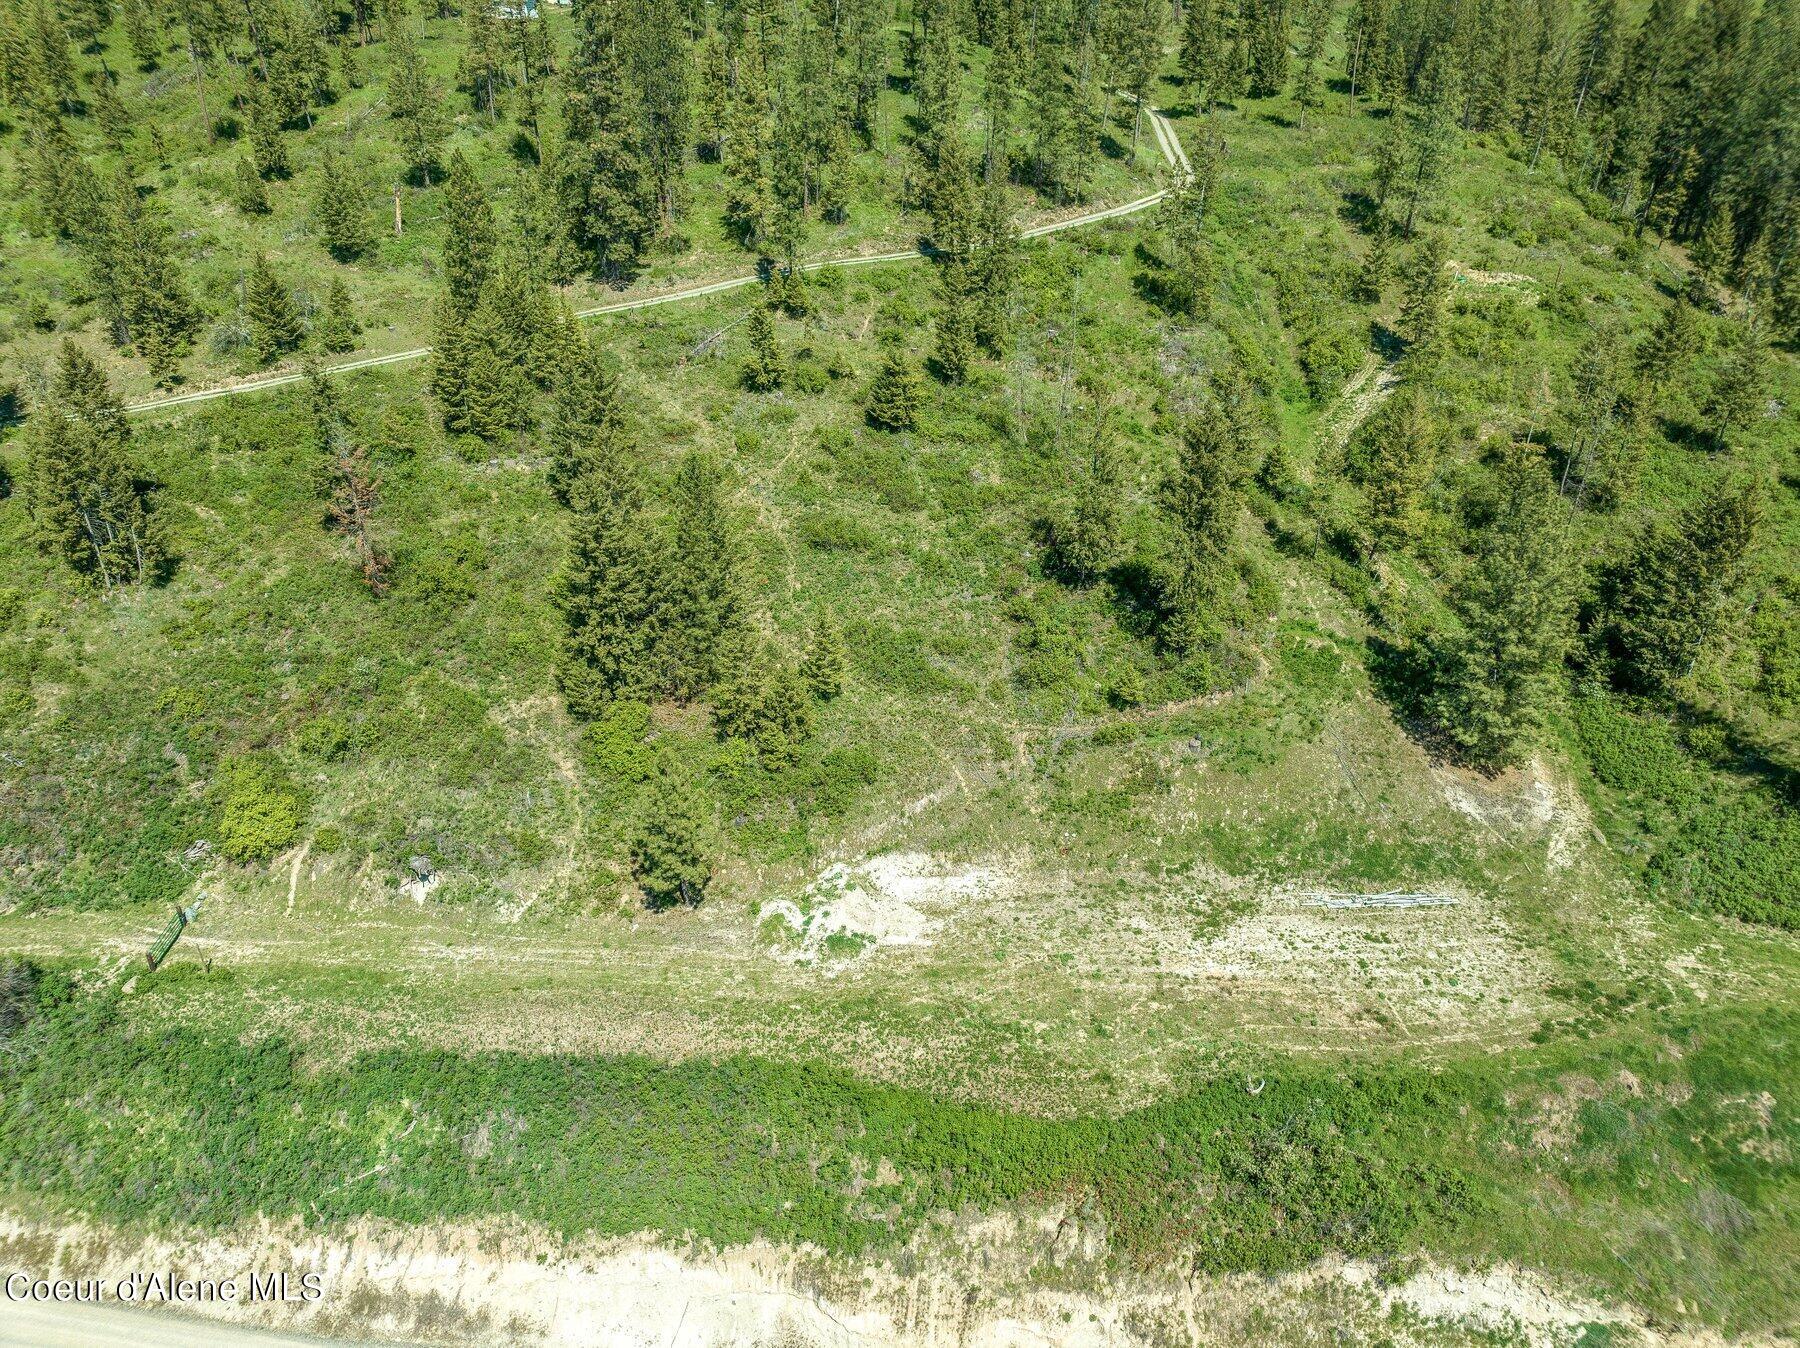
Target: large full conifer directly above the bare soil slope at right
[[1515, 609]]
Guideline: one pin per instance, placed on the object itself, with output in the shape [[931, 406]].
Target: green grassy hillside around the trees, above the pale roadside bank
[[1034, 899]]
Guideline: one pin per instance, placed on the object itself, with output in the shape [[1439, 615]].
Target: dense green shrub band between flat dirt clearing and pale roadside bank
[[730, 1149]]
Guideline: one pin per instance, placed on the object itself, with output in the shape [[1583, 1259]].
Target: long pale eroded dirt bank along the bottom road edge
[[998, 1282]]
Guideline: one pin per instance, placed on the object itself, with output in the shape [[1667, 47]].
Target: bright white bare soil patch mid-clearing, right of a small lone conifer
[[850, 912]]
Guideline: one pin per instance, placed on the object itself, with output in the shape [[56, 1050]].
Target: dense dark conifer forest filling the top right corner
[[1677, 121]]
